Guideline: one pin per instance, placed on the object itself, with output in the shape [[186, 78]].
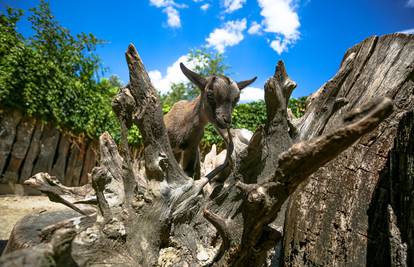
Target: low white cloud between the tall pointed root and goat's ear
[[173, 74]]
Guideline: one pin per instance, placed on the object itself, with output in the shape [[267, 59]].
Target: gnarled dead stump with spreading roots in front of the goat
[[161, 217]]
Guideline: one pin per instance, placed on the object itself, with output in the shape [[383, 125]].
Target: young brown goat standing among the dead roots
[[186, 120]]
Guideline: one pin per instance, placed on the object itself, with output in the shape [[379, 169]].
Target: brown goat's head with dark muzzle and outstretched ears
[[220, 95]]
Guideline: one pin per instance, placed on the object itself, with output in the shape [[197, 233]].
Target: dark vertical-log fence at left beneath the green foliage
[[29, 146]]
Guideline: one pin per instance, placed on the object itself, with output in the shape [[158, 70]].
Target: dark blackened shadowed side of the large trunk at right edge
[[390, 225]]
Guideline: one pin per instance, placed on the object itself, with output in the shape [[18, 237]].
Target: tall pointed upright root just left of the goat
[[148, 117]]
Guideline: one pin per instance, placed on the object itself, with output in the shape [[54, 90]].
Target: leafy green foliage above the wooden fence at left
[[53, 75]]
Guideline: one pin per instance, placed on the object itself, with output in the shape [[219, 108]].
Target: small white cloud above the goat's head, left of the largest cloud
[[229, 35]]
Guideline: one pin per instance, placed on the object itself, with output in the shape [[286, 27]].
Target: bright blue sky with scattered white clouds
[[310, 36]]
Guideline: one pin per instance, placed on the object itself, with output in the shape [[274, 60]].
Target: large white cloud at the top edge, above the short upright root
[[280, 18]]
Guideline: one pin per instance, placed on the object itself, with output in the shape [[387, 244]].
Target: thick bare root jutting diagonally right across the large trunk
[[304, 158]]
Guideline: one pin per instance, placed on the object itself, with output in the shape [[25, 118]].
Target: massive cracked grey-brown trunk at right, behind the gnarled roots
[[343, 220]]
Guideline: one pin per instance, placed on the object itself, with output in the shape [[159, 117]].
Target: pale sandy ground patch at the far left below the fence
[[13, 208]]
